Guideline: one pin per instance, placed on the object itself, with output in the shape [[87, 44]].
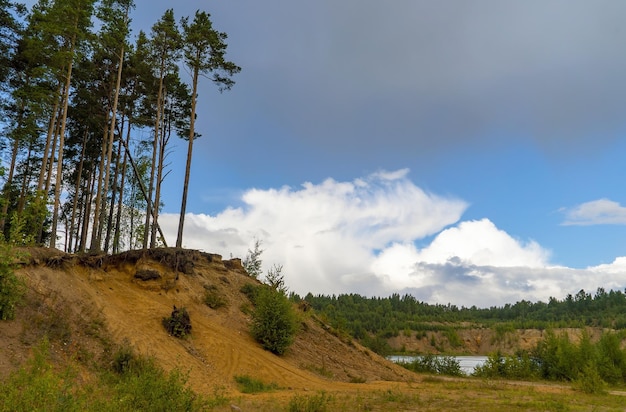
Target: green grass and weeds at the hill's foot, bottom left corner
[[133, 383]]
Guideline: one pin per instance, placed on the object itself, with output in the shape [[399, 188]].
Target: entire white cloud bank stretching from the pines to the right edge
[[360, 237]]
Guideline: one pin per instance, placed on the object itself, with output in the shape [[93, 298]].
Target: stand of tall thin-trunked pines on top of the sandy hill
[[89, 113]]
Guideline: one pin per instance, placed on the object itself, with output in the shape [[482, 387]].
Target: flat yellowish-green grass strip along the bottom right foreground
[[442, 394]]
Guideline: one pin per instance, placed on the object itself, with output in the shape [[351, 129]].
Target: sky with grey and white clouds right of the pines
[[463, 152]]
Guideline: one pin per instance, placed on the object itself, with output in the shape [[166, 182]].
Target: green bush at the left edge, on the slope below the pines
[[12, 288]]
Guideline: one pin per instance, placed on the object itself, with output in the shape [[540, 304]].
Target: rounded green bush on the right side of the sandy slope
[[274, 321]]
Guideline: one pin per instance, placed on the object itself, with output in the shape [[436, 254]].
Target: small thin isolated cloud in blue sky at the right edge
[[596, 212]]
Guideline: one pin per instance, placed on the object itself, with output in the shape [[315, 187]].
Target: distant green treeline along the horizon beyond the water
[[386, 317]]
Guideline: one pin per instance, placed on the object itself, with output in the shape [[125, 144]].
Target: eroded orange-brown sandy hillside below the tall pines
[[87, 304]]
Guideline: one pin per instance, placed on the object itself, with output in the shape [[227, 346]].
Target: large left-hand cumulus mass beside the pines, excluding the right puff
[[326, 235]]
